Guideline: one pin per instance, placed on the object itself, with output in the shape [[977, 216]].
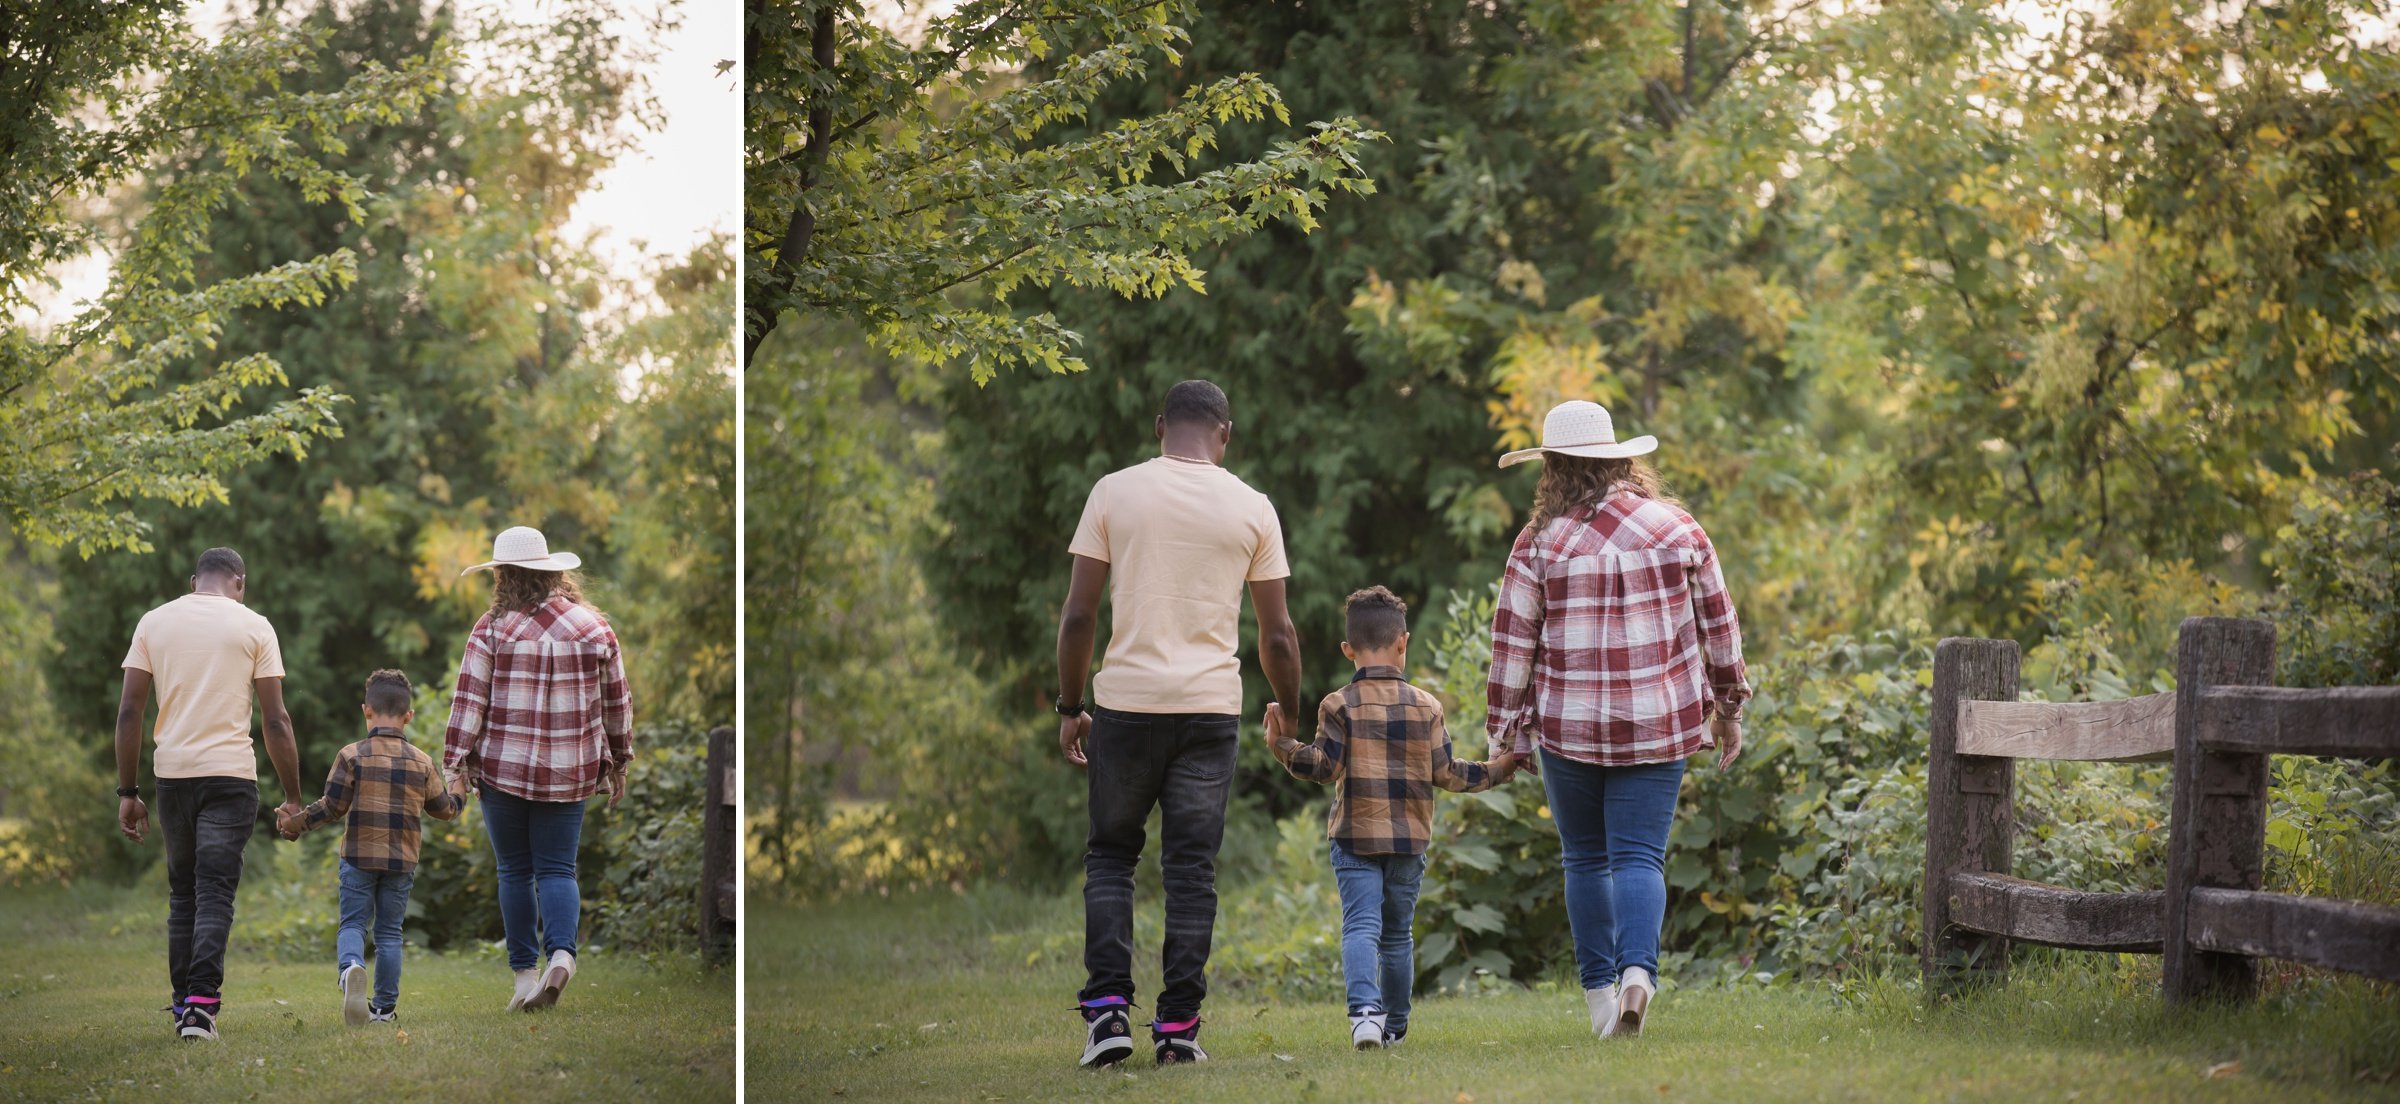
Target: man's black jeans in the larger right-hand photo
[[1184, 767]]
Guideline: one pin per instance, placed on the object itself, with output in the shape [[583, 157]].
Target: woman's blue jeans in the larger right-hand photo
[[1612, 827]]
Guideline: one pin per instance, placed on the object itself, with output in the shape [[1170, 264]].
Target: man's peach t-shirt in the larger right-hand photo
[[1180, 539]]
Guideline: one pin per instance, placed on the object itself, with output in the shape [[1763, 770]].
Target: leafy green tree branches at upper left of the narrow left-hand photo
[[133, 400]]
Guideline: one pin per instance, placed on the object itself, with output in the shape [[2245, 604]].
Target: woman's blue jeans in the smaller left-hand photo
[[536, 851]]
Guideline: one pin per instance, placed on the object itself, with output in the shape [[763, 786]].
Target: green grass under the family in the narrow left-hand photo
[[85, 971]]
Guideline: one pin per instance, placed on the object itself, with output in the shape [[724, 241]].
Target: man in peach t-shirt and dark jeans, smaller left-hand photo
[[205, 654]]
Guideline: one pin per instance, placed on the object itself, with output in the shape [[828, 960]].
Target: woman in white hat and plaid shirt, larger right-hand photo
[[1616, 656]]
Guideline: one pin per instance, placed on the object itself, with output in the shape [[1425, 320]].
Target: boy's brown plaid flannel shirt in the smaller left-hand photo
[[380, 784]]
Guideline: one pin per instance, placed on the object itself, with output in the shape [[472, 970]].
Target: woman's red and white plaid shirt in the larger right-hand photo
[[1614, 640]]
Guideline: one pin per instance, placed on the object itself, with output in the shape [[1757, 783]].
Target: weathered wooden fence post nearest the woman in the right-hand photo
[[1969, 817]]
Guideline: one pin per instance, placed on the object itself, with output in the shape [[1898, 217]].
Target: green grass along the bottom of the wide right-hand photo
[[942, 1000]]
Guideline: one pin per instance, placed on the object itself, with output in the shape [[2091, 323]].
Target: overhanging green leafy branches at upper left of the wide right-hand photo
[[882, 172]]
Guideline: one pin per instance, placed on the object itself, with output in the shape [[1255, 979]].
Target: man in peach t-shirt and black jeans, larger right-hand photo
[[1175, 541]]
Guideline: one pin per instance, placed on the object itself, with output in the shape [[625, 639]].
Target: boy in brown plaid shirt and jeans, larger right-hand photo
[[1381, 743]]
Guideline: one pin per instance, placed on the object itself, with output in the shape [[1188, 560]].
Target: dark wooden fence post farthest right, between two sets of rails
[[2219, 827]]
